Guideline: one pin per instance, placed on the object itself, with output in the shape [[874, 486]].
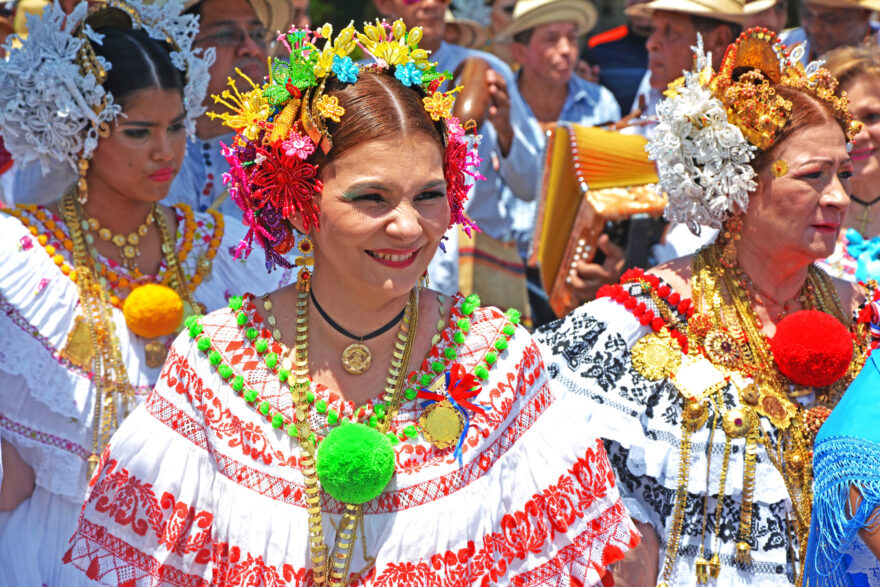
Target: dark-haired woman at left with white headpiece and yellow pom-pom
[[94, 287]]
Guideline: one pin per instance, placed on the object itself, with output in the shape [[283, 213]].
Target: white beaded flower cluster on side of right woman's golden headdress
[[702, 158]]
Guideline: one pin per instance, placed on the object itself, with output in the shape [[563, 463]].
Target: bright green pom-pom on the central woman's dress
[[355, 463]]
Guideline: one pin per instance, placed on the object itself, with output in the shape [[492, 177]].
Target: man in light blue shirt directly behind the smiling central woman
[[509, 146]]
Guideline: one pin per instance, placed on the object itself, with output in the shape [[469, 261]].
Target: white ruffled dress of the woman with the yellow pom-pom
[[46, 401]]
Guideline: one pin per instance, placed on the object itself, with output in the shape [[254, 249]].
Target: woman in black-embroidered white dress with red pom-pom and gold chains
[[708, 376]]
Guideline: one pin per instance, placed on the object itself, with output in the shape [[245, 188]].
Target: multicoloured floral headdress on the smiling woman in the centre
[[281, 123]]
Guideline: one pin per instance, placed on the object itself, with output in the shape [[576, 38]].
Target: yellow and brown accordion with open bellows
[[595, 181]]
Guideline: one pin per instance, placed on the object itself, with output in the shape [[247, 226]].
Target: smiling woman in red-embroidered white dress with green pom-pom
[[358, 428]]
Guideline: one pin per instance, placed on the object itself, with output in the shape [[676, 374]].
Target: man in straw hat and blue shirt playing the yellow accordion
[[545, 37]]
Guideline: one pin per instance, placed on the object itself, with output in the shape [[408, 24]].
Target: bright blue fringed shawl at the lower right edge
[[846, 455]]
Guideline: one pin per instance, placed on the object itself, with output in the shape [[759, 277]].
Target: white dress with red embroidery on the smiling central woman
[[197, 486]]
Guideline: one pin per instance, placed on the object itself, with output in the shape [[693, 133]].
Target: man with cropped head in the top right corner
[[829, 24]]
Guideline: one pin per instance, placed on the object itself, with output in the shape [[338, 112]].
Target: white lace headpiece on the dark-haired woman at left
[[52, 105]]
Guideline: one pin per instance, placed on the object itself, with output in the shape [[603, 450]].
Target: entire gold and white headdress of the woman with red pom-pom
[[712, 124]]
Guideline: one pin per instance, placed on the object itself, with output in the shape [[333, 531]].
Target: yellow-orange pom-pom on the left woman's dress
[[153, 310]]
